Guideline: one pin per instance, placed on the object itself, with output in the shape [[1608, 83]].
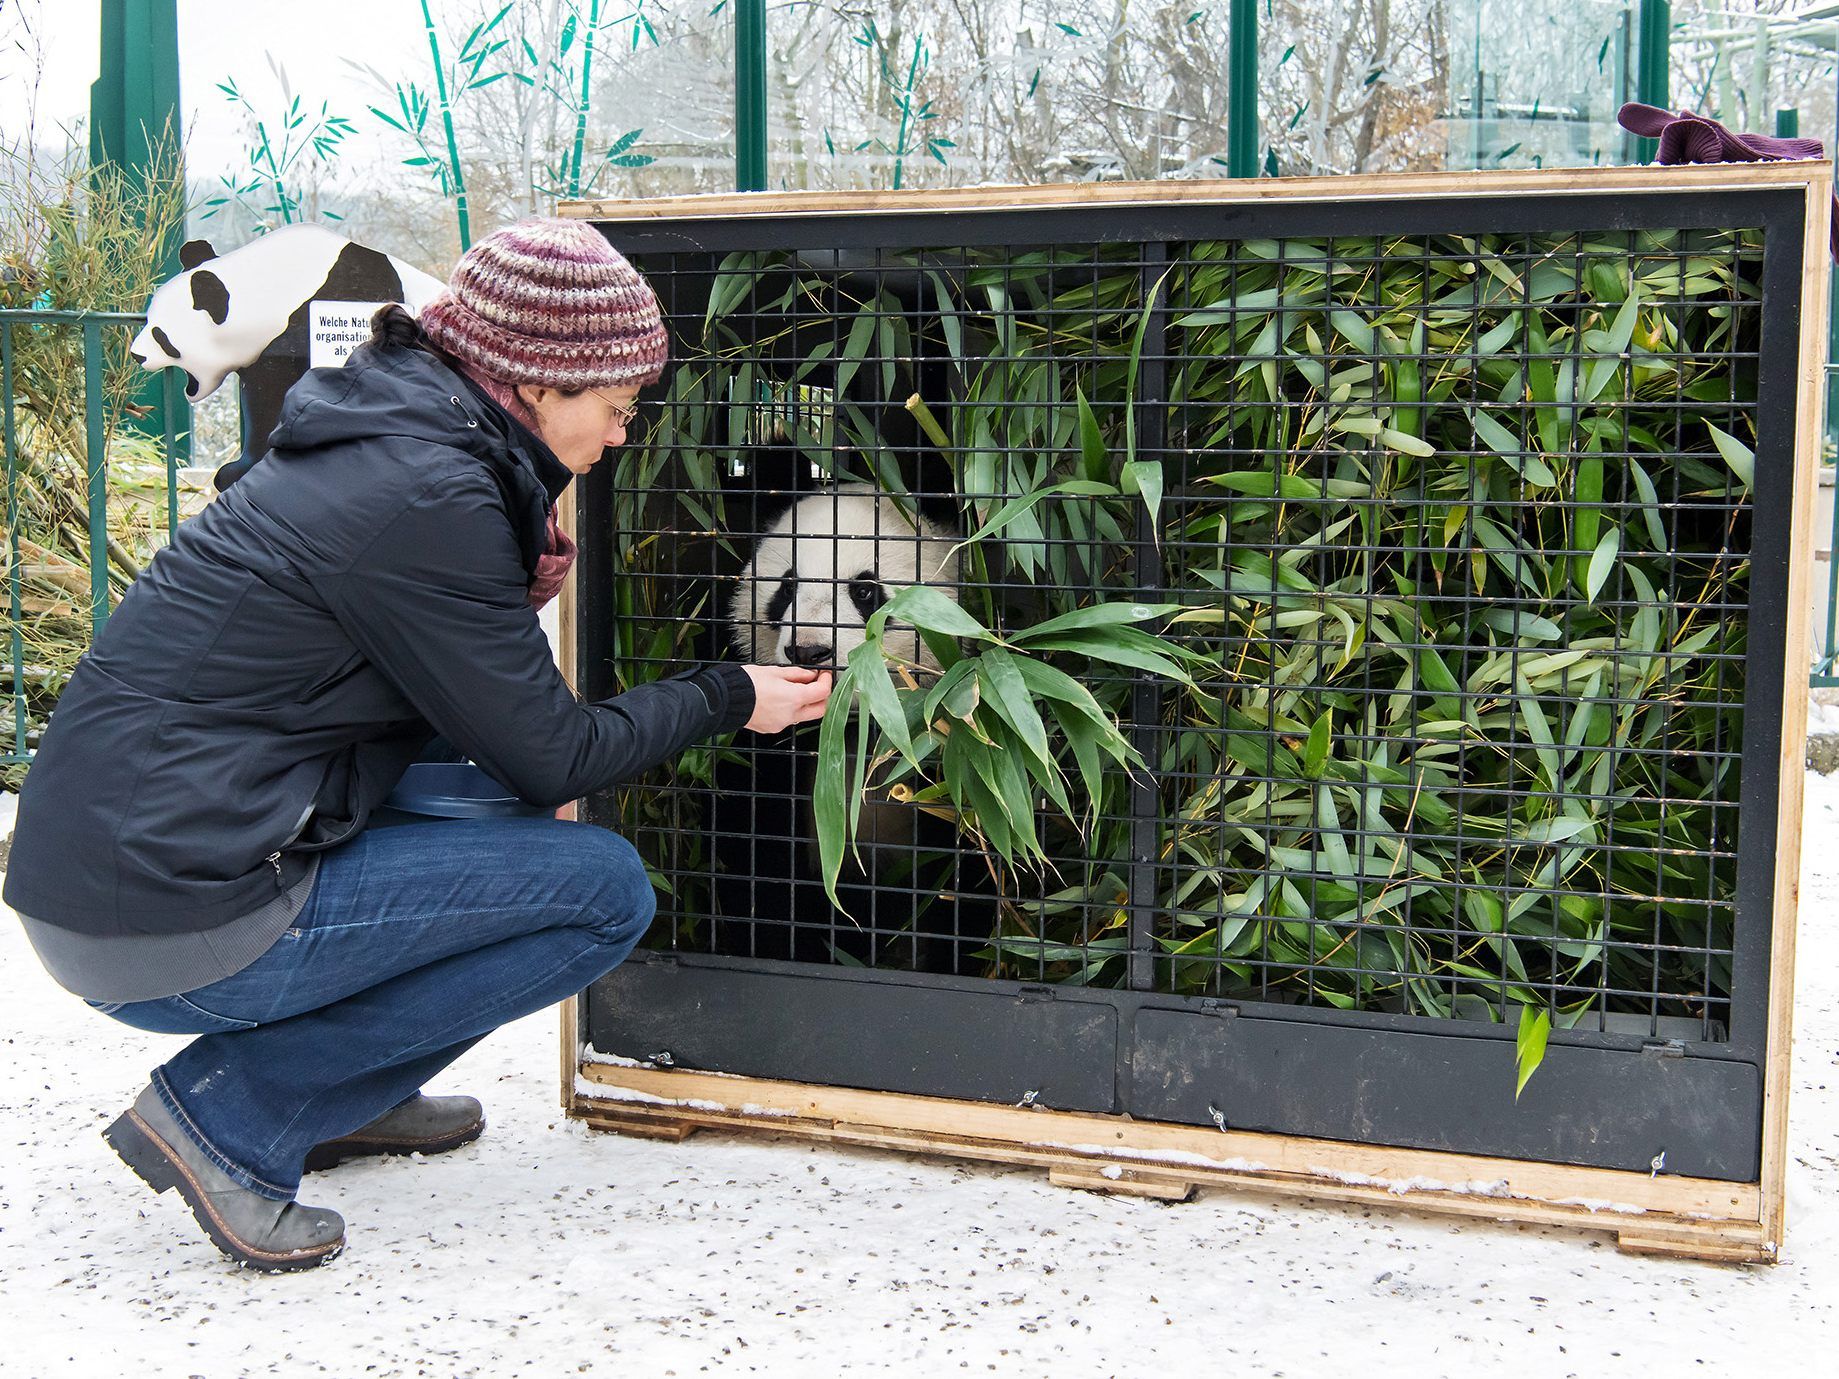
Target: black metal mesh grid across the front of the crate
[[1468, 562]]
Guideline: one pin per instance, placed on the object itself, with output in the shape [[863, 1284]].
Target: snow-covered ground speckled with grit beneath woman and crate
[[549, 1249]]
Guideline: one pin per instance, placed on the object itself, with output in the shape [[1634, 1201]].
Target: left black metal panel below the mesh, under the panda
[[988, 1042]]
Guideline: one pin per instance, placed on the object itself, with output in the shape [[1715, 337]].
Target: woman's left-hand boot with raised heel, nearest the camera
[[255, 1231]]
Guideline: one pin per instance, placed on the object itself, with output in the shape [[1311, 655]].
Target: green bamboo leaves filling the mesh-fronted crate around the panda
[[1399, 582]]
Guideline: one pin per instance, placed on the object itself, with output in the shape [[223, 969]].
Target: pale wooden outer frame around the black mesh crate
[[1649, 1214]]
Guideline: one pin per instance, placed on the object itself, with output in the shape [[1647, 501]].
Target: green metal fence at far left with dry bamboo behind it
[[89, 494]]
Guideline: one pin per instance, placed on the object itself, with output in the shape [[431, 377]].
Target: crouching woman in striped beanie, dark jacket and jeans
[[192, 850]]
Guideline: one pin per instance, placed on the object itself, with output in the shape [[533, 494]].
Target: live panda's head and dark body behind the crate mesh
[[816, 578]]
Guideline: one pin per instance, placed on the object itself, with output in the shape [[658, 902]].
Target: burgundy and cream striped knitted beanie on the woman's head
[[551, 302]]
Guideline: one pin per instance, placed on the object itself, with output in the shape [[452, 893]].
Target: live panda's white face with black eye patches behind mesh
[[825, 569]]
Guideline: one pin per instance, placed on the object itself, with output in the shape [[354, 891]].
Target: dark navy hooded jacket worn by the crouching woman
[[301, 643]]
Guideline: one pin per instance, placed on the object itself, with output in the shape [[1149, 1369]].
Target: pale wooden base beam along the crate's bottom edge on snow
[[1669, 1216]]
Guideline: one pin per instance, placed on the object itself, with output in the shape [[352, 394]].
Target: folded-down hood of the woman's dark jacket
[[407, 393]]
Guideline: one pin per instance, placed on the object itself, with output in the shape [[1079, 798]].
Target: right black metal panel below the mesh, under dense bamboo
[[1586, 1106]]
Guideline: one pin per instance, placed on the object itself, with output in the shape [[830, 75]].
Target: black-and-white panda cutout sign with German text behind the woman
[[290, 301]]
